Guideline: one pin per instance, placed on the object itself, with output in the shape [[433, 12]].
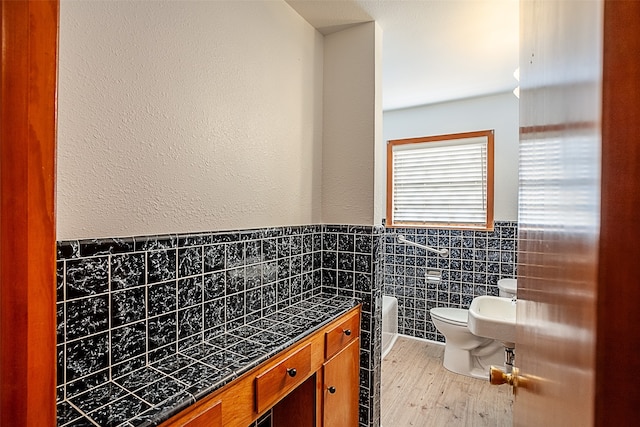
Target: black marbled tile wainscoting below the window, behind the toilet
[[477, 259]]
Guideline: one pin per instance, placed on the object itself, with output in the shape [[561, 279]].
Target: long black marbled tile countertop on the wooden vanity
[[156, 392]]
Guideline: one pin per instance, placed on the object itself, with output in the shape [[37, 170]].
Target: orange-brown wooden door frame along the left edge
[[27, 215]]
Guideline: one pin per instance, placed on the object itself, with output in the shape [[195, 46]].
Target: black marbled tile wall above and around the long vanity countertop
[[125, 303]]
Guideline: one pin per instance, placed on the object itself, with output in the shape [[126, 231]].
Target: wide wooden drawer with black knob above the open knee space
[[275, 382]]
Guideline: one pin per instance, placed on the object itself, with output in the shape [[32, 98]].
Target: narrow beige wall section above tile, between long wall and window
[[351, 107]]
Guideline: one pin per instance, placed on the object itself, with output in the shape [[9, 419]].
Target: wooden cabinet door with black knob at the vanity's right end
[[341, 387]]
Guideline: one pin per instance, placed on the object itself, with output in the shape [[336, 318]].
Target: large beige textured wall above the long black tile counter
[[187, 116]]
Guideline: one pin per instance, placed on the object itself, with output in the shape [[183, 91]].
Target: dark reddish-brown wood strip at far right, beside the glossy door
[[618, 317]]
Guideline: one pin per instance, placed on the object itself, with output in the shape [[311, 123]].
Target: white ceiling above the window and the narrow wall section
[[433, 50]]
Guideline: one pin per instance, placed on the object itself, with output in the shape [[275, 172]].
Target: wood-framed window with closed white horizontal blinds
[[443, 181]]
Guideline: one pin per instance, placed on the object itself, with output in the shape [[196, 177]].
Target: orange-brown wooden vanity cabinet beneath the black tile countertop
[[313, 383]]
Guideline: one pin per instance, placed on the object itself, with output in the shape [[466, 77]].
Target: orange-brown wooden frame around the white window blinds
[[489, 134]]
